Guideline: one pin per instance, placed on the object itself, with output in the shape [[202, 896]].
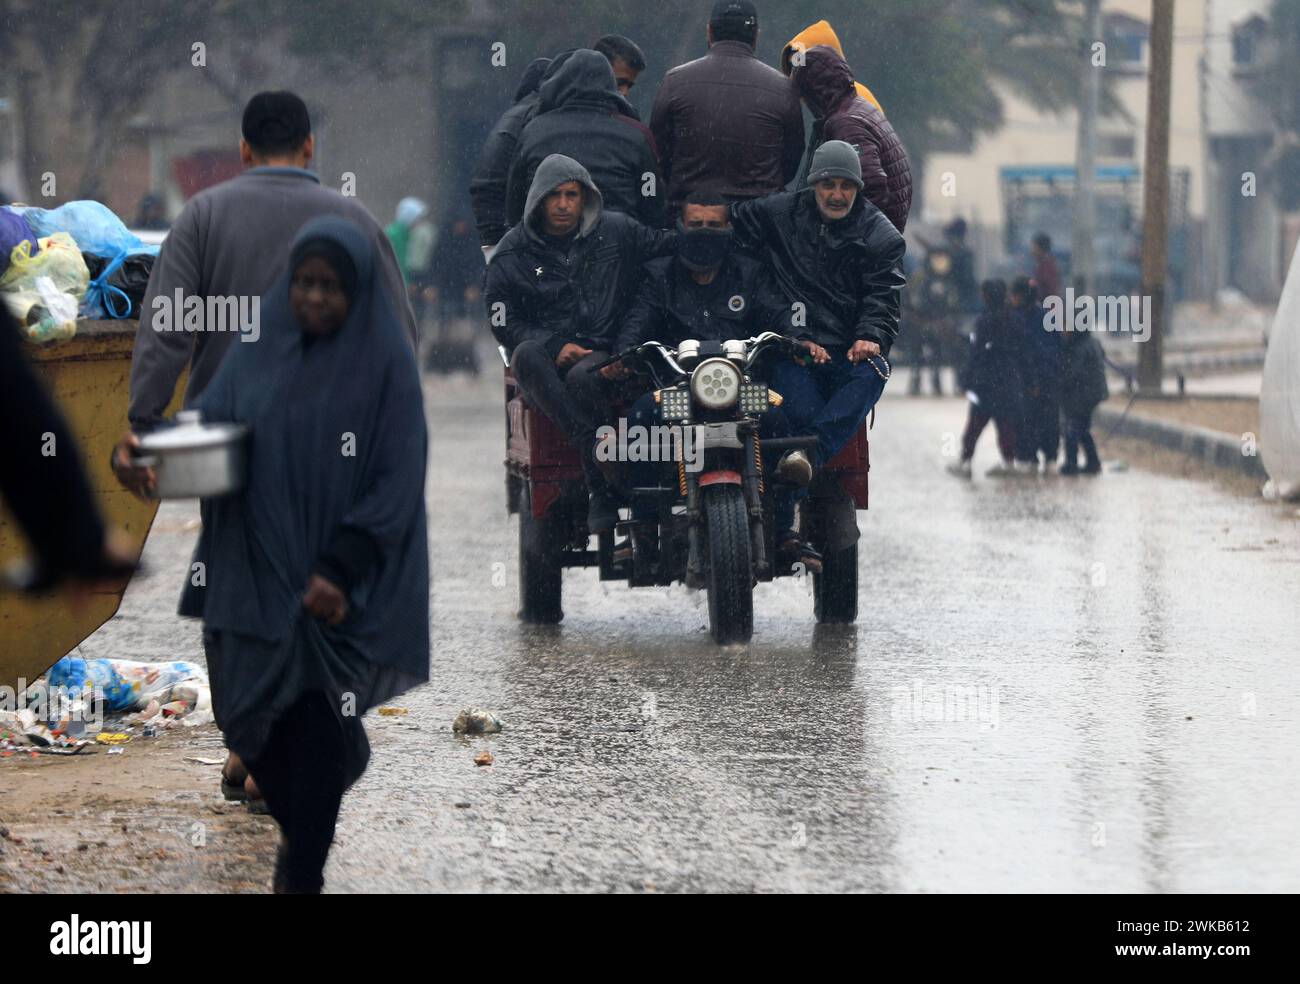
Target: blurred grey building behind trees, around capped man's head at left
[[414, 132]]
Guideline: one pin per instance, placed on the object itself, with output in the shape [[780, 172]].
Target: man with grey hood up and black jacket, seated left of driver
[[556, 292]]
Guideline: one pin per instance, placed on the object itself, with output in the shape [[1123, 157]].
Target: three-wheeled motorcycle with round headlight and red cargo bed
[[713, 498]]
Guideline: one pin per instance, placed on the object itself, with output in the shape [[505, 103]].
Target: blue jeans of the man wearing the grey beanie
[[829, 402]]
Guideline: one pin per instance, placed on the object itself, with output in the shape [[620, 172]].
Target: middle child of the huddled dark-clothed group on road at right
[[1041, 421]]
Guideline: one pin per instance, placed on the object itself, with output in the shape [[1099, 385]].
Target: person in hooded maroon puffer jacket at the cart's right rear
[[826, 85]]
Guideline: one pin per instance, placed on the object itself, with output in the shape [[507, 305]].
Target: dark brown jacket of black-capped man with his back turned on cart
[[729, 124]]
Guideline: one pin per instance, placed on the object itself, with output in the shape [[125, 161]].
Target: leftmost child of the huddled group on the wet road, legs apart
[[993, 382]]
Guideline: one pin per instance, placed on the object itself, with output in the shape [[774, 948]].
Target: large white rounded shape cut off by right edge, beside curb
[[1280, 393]]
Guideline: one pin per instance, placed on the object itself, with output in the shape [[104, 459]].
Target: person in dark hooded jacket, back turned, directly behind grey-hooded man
[[583, 116]]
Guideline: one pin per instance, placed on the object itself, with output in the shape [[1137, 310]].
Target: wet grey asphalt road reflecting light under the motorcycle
[[1080, 686]]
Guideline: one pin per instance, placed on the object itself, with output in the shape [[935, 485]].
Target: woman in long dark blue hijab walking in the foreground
[[317, 605]]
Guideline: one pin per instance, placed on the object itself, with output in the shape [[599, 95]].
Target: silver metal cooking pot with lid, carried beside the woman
[[193, 460]]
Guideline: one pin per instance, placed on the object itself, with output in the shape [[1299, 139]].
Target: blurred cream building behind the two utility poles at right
[[1024, 175]]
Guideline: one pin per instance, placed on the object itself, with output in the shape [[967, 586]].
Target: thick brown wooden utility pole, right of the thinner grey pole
[[1155, 237]]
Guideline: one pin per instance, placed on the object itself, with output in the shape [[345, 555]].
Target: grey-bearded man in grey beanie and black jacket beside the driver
[[838, 265]]
